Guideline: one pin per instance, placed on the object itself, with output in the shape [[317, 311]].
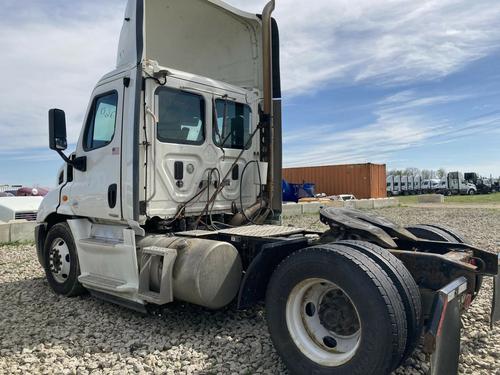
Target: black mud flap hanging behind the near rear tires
[[442, 337]]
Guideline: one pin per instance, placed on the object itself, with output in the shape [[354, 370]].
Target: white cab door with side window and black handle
[[95, 192]]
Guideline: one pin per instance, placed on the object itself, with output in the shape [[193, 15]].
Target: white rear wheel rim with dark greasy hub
[[323, 322]]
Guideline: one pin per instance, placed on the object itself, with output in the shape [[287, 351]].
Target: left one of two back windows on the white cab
[[181, 117]]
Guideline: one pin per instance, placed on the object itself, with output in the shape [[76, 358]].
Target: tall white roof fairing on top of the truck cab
[[205, 37]]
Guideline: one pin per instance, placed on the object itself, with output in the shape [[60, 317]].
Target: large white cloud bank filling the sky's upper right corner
[[384, 42]]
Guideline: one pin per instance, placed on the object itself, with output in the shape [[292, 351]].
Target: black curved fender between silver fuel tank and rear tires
[[254, 284]]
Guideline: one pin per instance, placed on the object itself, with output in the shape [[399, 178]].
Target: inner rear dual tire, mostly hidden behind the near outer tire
[[405, 284]]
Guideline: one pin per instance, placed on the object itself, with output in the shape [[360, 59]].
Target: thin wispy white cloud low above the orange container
[[402, 124]]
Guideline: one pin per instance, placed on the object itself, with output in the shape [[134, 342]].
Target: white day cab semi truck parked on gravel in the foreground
[[173, 193]]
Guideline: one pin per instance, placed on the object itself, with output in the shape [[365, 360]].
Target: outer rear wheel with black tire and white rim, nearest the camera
[[372, 344]]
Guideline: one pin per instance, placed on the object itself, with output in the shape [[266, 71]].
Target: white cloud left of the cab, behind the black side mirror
[[52, 61]]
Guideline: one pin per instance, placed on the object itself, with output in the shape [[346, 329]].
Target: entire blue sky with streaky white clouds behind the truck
[[409, 84]]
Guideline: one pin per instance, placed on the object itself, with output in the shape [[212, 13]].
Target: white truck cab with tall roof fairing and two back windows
[[154, 135]]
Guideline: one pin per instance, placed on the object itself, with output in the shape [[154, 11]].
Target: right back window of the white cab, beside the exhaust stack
[[237, 127]]
